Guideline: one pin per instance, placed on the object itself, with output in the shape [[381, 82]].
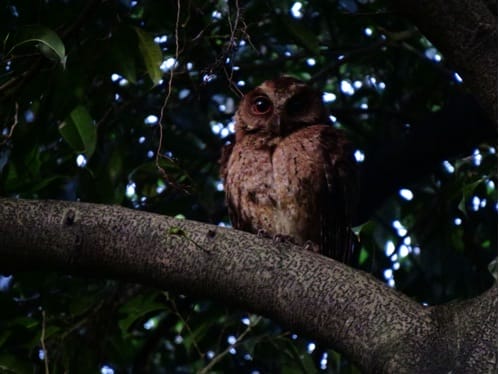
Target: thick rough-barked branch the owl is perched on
[[378, 328]]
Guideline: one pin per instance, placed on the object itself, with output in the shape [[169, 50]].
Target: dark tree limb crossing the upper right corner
[[466, 33]]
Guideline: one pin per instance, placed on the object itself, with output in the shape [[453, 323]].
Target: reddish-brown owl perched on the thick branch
[[290, 173]]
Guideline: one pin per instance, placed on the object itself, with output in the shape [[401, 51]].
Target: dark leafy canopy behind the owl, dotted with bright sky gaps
[[130, 102]]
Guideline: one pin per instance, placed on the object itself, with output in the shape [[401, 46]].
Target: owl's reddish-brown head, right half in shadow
[[278, 107]]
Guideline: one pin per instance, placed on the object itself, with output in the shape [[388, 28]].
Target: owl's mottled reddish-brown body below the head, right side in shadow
[[299, 186]]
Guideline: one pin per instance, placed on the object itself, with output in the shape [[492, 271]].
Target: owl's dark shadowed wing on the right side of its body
[[339, 196]]
